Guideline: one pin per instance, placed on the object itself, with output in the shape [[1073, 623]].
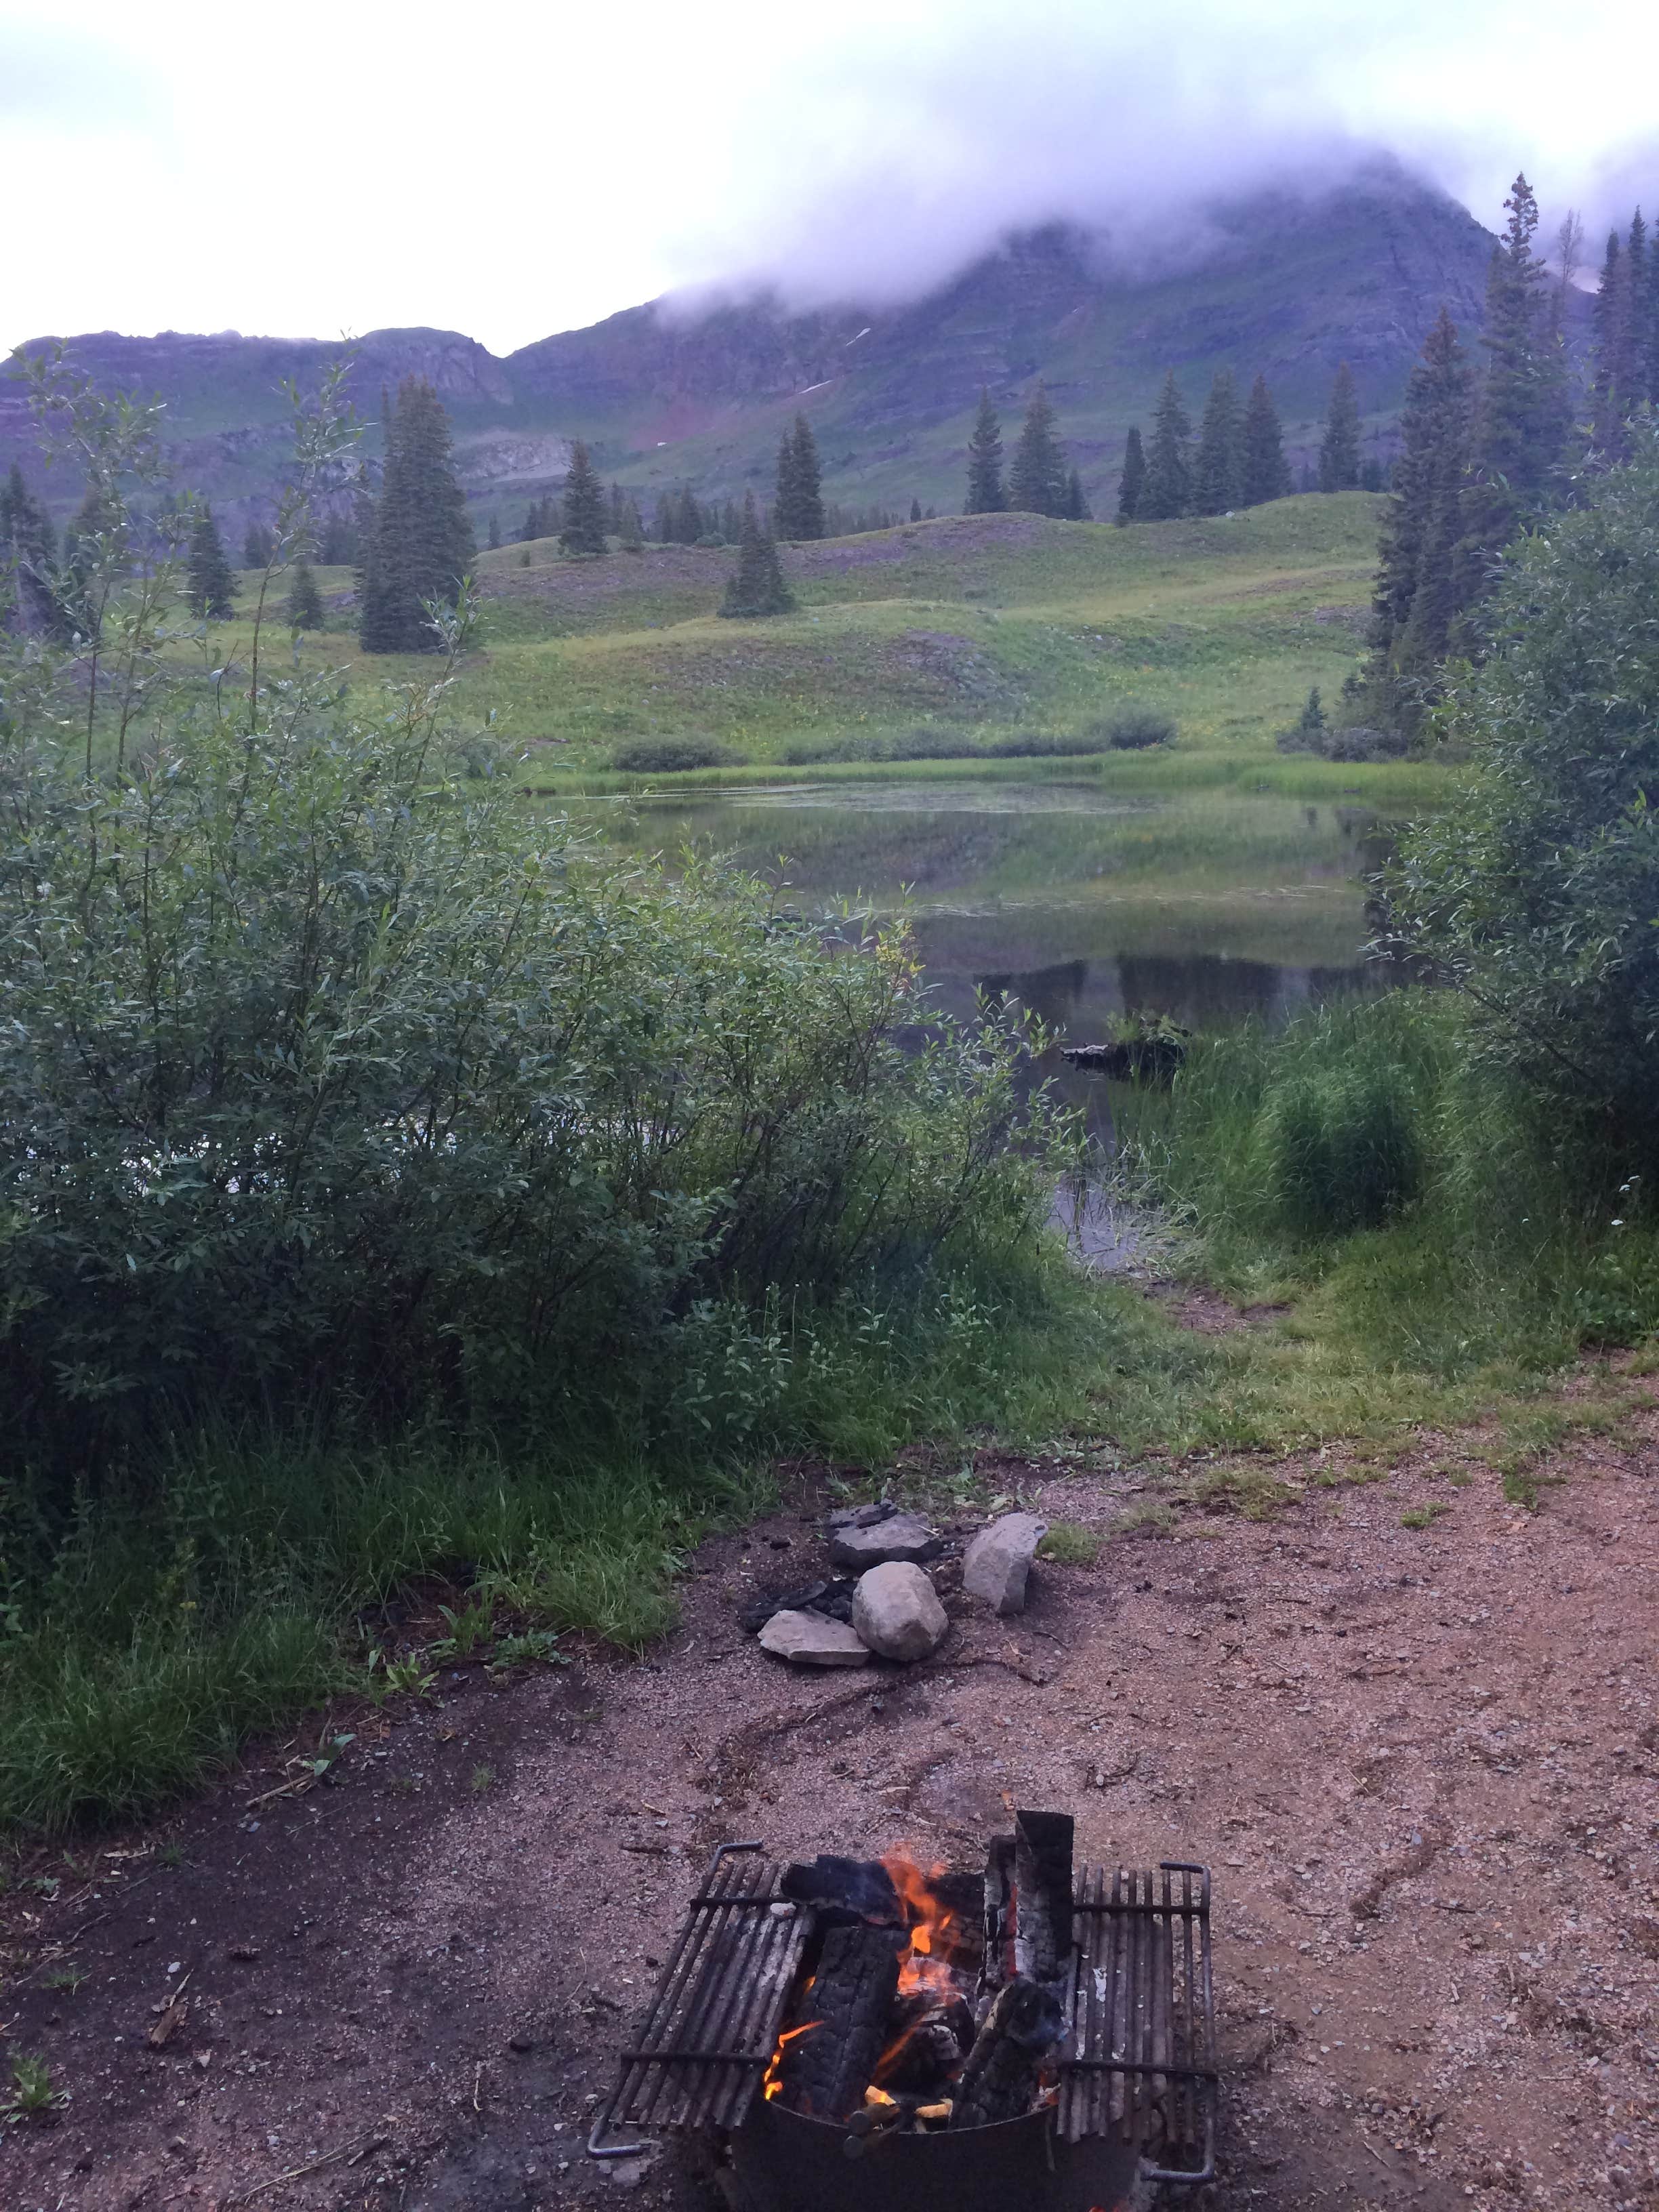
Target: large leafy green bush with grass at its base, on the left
[[393, 1182]]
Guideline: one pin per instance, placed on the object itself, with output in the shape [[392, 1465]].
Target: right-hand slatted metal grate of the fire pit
[[1142, 2047]]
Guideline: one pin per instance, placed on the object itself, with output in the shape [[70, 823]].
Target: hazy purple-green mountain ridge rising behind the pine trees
[[1288, 284]]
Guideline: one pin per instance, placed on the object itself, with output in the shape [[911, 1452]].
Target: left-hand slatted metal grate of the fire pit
[[716, 2018]]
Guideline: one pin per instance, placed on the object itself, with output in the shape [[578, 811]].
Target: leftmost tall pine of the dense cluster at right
[[1415, 592]]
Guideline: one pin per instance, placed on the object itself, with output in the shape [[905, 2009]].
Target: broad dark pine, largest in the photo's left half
[[424, 539]]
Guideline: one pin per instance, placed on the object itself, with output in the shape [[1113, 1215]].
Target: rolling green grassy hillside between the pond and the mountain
[[981, 629]]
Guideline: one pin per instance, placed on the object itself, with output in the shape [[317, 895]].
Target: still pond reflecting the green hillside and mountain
[[1072, 901]]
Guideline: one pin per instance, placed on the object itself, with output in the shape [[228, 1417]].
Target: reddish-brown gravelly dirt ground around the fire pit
[[1421, 1760]]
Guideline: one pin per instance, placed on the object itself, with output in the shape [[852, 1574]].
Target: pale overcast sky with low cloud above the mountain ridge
[[514, 171]]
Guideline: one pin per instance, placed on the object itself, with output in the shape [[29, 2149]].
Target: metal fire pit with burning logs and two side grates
[[873, 2036]]
